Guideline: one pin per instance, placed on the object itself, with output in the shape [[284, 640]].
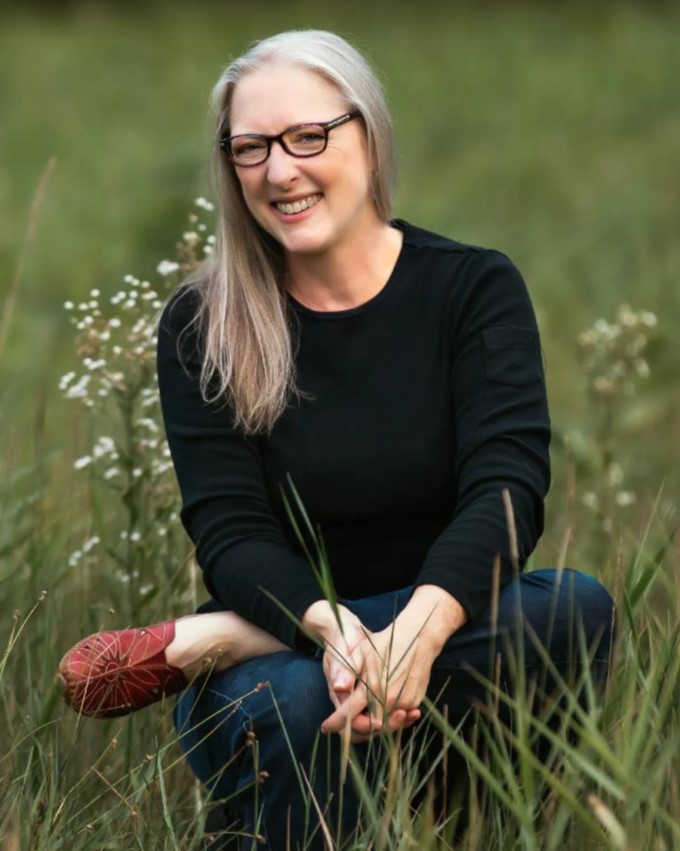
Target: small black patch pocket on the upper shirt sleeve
[[513, 355]]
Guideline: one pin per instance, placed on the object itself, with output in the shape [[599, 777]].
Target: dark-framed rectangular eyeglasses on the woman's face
[[302, 140]]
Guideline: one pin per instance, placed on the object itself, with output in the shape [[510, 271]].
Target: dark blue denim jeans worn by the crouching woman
[[232, 727]]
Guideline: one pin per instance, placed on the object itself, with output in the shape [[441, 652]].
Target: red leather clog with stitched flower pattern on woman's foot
[[115, 673]]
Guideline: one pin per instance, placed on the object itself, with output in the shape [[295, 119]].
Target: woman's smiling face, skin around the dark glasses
[[334, 186]]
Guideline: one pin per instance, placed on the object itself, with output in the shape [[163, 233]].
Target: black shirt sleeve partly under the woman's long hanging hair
[[240, 546]]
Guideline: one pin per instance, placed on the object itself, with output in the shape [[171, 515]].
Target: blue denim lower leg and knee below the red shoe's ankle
[[252, 735]]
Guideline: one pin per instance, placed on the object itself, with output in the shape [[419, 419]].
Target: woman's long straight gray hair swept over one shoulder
[[248, 352]]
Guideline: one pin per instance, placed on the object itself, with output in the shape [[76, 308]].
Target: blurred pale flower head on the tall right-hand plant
[[612, 354]]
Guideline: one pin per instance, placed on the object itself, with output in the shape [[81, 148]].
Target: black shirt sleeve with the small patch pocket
[[502, 433]]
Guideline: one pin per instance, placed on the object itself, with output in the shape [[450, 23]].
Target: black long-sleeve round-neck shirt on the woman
[[427, 402]]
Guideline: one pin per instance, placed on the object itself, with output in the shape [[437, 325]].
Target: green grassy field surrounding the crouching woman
[[550, 133]]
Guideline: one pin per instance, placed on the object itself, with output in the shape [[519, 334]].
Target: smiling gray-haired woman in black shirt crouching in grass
[[395, 376]]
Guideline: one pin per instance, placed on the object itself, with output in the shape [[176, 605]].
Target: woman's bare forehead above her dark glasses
[[278, 95]]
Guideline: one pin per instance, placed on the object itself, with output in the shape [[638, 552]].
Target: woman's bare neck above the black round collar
[[347, 275]]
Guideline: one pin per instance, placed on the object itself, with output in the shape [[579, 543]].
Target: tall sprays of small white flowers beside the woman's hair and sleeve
[[116, 337]]
